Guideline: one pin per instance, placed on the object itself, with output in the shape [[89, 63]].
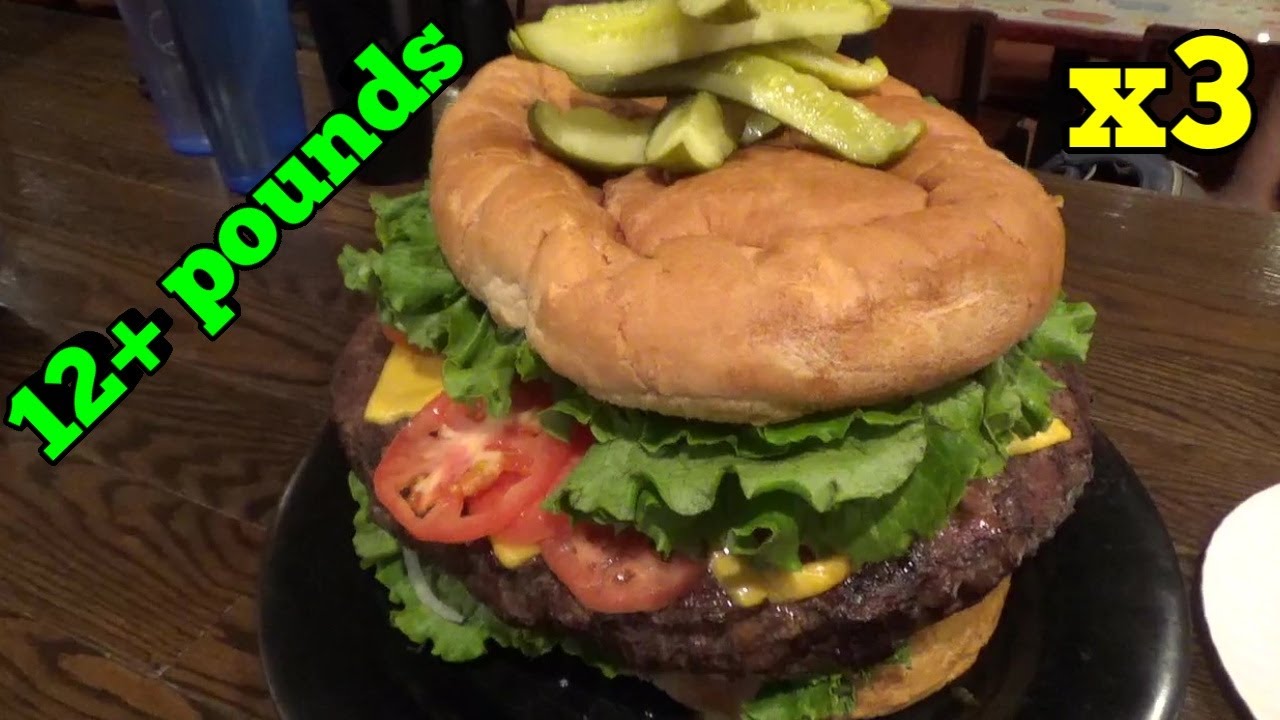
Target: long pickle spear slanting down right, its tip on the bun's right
[[835, 121]]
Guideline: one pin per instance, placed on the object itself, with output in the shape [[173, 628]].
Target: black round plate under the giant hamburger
[[1096, 627]]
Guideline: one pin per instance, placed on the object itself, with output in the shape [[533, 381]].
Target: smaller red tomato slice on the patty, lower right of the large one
[[619, 573]]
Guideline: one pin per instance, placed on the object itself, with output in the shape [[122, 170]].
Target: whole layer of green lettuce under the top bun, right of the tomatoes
[[866, 484]]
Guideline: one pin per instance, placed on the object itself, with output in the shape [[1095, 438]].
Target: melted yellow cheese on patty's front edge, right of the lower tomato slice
[[749, 586]]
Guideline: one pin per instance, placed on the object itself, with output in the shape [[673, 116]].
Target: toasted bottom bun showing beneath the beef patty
[[939, 655]]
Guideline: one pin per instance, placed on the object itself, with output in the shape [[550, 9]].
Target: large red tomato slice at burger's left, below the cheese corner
[[449, 458]]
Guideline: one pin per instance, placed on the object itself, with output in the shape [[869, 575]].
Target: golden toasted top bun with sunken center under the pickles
[[783, 284]]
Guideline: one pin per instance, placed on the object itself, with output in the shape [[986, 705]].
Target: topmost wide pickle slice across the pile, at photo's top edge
[[641, 35]]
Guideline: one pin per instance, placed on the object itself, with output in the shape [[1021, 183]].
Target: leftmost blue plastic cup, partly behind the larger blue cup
[[152, 39]]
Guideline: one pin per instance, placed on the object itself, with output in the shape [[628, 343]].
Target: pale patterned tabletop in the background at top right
[[1252, 20]]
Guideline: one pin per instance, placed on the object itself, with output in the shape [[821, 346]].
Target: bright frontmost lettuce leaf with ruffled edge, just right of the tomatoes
[[618, 482]]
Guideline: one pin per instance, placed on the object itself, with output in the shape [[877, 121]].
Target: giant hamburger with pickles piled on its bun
[[769, 422]]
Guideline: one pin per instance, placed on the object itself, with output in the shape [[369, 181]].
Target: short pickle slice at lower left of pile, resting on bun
[[591, 138]]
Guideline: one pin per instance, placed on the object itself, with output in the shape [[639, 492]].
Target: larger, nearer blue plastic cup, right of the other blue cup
[[243, 65]]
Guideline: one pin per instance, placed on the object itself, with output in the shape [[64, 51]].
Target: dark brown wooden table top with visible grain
[[129, 573]]
